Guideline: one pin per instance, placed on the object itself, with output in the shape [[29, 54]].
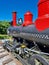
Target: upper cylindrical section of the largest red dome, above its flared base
[[43, 7]]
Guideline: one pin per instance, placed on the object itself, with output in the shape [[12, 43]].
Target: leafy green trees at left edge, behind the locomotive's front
[[3, 27]]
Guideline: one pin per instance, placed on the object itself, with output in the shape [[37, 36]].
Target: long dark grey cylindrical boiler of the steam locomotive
[[30, 33]]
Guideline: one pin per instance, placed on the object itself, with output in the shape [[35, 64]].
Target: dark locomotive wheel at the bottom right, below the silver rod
[[38, 60]]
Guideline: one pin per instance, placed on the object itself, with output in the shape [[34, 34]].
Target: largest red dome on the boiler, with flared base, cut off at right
[[42, 22]]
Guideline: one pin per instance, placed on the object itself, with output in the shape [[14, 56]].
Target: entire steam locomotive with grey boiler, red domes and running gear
[[33, 37]]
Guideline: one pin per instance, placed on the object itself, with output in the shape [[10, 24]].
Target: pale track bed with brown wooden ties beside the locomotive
[[6, 58]]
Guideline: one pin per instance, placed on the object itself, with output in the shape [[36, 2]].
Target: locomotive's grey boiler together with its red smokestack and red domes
[[37, 32]]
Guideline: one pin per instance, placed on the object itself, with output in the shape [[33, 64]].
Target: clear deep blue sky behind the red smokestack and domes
[[20, 6]]
